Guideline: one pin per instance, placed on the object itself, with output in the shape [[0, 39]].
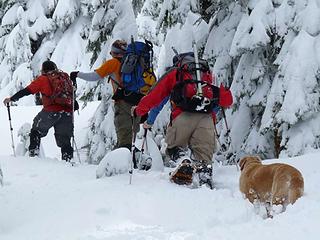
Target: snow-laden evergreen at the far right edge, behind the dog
[[292, 108]]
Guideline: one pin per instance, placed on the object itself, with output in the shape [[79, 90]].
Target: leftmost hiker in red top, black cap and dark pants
[[57, 98]]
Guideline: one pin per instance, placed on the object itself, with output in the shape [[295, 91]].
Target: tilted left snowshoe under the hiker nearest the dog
[[183, 174]]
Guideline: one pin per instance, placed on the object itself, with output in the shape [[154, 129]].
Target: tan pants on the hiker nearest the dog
[[196, 131]]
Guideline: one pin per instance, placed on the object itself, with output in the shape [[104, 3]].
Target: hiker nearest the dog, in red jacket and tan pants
[[191, 124]]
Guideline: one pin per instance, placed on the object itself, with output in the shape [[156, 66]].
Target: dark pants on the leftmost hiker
[[63, 131]]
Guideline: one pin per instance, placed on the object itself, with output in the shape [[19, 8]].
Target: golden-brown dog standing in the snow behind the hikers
[[273, 184]]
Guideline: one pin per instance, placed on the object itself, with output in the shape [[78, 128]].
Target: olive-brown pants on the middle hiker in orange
[[123, 123]]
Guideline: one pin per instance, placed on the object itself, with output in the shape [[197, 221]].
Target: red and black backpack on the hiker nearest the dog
[[186, 94]]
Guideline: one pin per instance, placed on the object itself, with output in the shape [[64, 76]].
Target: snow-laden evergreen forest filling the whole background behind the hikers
[[264, 50]]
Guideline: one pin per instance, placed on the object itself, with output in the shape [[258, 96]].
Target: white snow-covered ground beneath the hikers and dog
[[45, 199]]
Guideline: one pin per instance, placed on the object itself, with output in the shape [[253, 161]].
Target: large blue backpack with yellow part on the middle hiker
[[137, 69]]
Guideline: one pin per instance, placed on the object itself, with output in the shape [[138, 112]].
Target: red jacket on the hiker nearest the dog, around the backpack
[[164, 88]]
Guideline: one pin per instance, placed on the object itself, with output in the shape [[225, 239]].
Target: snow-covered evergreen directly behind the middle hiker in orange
[[112, 20]]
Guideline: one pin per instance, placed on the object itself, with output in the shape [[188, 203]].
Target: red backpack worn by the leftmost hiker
[[62, 88]]
